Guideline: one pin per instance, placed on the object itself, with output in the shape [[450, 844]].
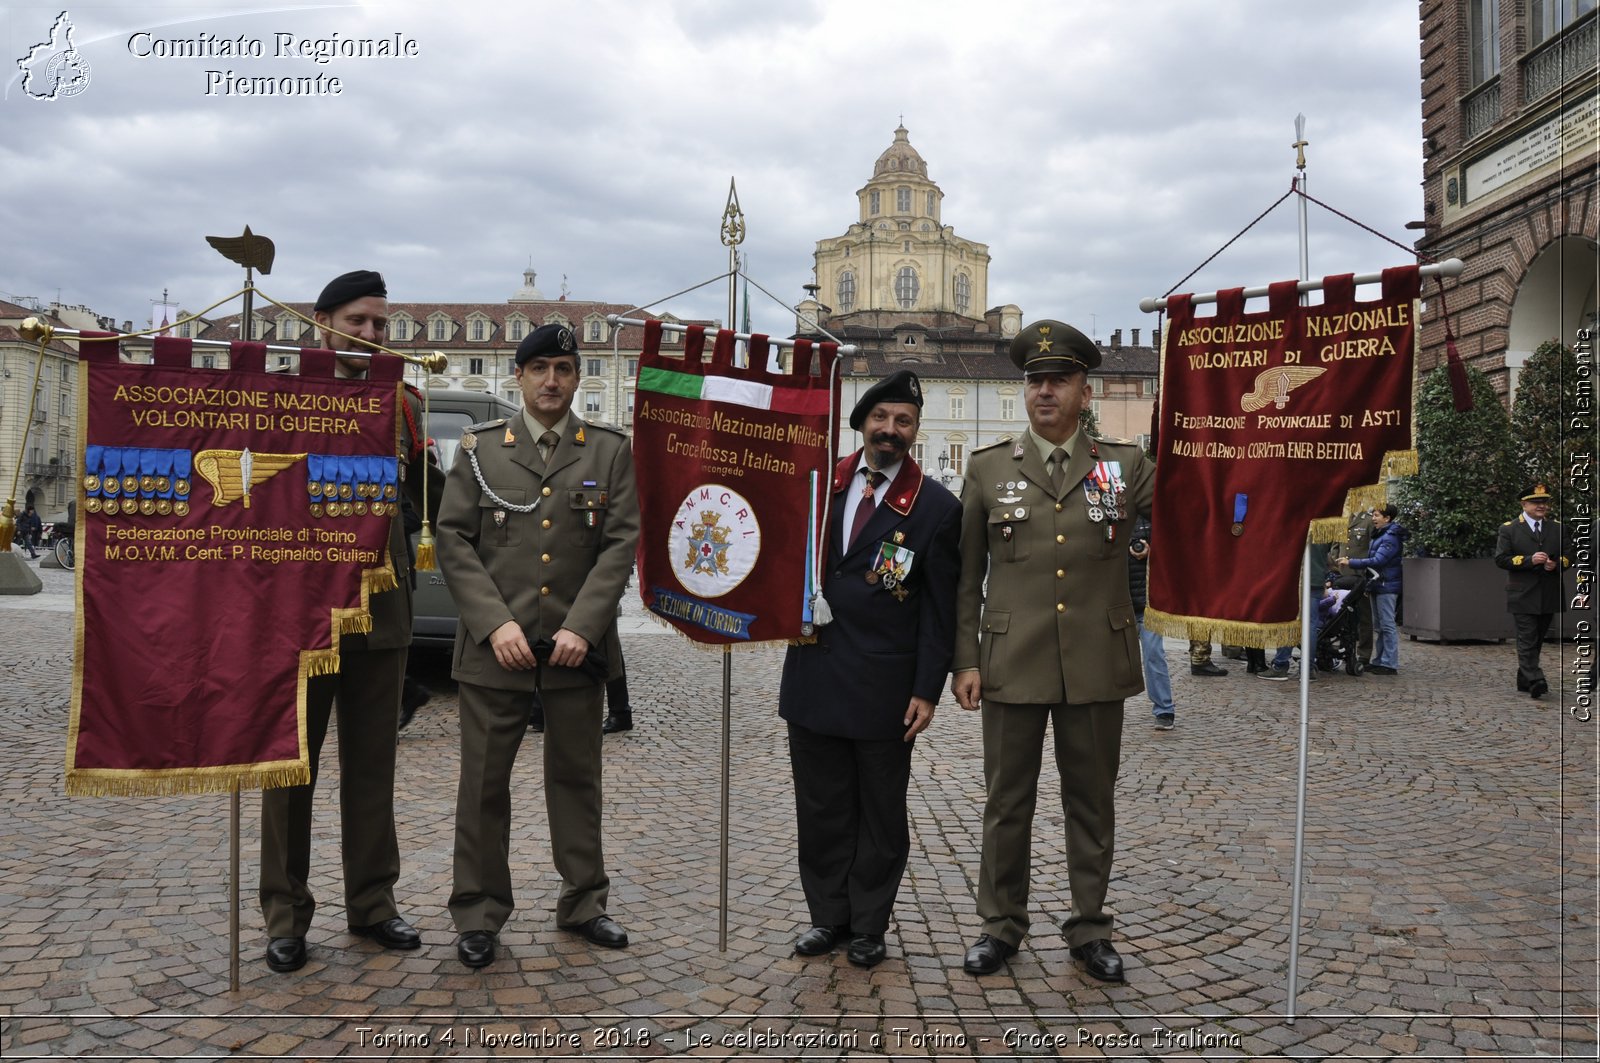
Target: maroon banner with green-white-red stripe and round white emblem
[[734, 467]]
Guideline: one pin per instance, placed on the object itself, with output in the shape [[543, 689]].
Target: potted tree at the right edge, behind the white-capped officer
[[1548, 446]]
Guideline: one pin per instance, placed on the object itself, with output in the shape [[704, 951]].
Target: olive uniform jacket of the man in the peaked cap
[[1057, 624]]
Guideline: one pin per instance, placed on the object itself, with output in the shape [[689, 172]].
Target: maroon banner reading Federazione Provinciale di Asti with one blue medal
[[1271, 427]]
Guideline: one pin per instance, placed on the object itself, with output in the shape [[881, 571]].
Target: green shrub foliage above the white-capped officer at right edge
[[1542, 422]]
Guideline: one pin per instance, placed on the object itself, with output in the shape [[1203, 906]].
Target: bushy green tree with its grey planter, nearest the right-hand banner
[[1465, 489]]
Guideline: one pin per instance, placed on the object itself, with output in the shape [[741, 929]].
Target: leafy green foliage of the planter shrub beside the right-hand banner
[[1468, 478]]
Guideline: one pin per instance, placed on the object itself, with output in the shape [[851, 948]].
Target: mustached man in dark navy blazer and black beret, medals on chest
[[858, 697]]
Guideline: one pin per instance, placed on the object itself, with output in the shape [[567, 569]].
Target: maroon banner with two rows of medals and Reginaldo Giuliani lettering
[[231, 526]]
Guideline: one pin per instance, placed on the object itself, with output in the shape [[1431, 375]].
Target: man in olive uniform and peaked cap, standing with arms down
[[1047, 519]]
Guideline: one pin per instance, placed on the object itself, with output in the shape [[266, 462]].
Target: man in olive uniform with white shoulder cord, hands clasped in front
[[537, 539]]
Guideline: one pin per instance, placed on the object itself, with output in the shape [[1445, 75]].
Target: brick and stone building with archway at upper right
[[1511, 126]]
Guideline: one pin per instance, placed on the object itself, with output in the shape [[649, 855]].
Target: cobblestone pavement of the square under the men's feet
[[1449, 901]]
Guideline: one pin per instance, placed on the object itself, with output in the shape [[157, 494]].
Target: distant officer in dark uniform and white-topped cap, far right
[[1534, 552]]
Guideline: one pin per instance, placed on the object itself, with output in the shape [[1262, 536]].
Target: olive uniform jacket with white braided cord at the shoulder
[[564, 564]]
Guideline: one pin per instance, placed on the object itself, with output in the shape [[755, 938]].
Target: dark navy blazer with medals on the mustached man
[[892, 638]]
